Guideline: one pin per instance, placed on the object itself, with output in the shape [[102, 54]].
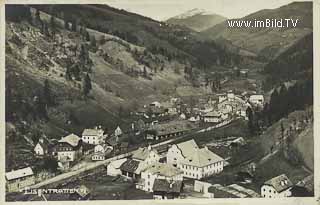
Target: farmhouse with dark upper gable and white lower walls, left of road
[[69, 148]]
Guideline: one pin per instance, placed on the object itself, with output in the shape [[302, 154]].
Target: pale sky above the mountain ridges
[[164, 9]]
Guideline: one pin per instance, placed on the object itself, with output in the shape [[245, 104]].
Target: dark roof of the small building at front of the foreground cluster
[[163, 185]]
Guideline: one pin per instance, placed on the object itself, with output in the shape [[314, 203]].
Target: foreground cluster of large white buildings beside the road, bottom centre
[[163, 174]]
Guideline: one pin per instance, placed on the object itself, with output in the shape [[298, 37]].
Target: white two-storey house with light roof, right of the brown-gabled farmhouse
[[93, 136]]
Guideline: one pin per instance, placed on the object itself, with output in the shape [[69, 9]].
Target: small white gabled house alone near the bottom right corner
[[277, 187]]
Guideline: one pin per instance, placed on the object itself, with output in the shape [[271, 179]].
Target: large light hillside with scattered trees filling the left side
[[124, 77]]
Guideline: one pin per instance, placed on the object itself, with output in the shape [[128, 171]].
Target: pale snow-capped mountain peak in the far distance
[[196, 19]]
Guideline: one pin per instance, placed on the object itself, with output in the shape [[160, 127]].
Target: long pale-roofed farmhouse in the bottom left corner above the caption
[[19, 179]]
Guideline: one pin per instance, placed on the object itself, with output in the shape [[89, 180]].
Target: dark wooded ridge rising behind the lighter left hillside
[[172, 41]]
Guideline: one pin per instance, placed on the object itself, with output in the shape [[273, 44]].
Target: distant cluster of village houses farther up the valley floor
[[216, 109]]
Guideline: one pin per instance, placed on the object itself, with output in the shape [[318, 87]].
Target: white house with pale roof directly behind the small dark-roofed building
[[158, 171]]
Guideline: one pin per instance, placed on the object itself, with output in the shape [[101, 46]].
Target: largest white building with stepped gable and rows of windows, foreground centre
[[195, 162]]
